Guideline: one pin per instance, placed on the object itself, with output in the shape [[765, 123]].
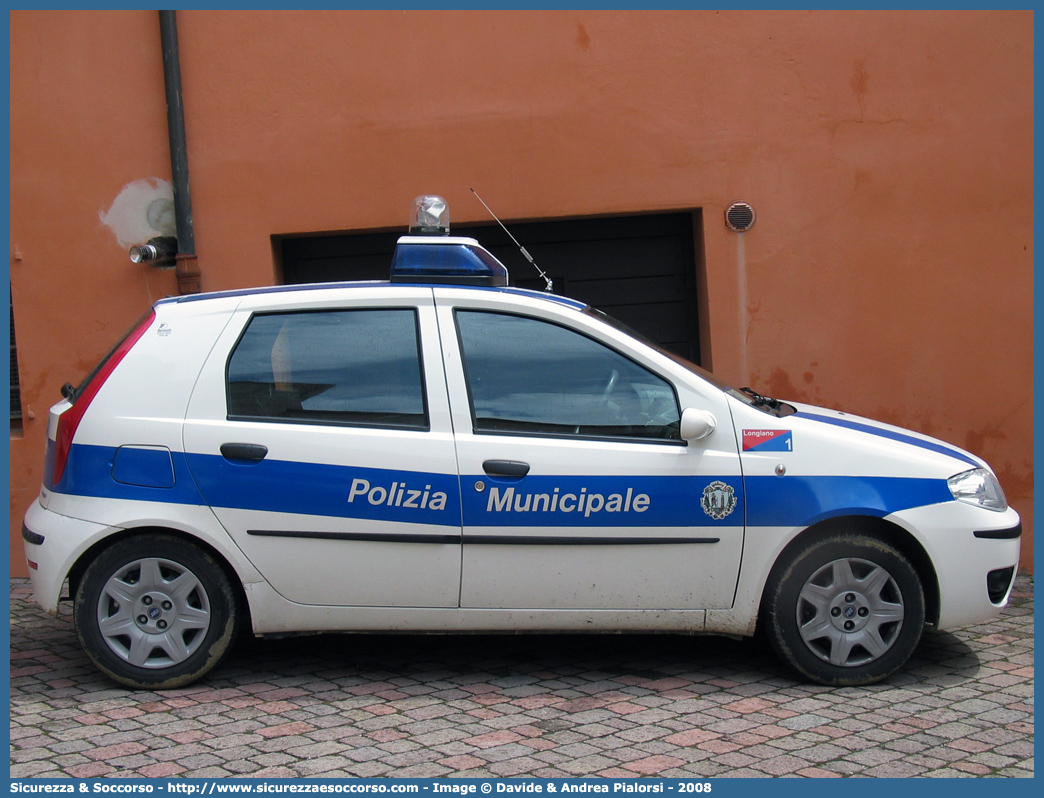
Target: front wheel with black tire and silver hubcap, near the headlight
[[845, 611]]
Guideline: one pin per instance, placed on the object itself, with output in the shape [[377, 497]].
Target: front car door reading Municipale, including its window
[[577, 490]]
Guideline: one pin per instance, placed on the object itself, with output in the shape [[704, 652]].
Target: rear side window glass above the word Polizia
[[341, 367]]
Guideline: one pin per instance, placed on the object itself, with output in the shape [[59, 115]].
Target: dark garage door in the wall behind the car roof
[[640, 270]]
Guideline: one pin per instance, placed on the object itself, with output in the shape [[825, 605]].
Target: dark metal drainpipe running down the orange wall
[[187, 269]]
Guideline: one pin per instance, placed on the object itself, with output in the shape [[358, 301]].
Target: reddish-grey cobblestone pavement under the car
[[545, 707]]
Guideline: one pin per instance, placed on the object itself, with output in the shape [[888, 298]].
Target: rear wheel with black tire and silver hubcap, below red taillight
[[156, 613]]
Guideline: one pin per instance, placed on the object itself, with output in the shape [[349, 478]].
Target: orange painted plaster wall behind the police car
[[889, 156]]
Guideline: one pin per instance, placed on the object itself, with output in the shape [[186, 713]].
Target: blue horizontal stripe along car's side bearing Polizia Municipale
[[433, 499]]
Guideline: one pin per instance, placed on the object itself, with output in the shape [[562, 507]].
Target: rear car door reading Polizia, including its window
[[320, 434]]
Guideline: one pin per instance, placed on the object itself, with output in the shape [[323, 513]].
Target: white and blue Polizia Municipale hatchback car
[[442, 453]]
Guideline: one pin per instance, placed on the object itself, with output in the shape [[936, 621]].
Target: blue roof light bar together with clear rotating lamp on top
[[430, 254]]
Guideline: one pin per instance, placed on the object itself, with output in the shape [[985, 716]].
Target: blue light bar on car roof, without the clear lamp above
[[445, 262]]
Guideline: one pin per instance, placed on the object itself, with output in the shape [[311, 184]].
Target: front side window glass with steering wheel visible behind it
[[531, 377]]
